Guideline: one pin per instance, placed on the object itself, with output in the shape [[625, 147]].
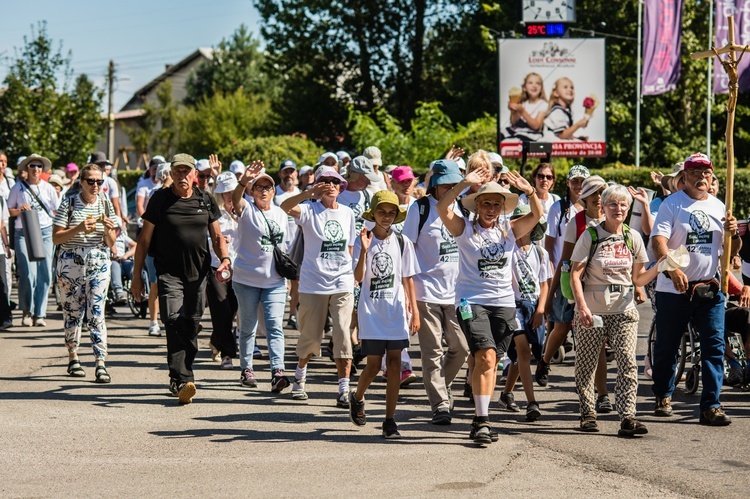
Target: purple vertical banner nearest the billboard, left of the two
[[662, 36]]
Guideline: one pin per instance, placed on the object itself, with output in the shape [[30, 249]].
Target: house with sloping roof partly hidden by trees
[[132, 112]]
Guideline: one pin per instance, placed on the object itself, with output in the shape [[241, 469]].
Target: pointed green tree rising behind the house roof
[[237, 63]]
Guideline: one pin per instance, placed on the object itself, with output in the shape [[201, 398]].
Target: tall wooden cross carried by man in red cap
[[730, 66]]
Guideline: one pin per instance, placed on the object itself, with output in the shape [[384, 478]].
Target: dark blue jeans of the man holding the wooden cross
[[673, 312]]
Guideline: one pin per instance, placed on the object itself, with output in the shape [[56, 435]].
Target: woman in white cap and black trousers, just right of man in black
[[222, 302]]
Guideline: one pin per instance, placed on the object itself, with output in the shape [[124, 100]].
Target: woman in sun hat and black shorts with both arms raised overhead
[[484, 292]]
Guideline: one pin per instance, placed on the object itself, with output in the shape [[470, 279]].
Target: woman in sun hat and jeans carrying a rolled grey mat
[[34, 277]]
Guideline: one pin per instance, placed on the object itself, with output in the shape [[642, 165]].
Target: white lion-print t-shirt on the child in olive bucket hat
[[382, 302]]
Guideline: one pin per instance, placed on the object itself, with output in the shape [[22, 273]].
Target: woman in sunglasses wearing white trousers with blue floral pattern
[[85, 231]]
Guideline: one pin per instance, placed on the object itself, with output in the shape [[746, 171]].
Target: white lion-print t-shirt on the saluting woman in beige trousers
[[329, 233]]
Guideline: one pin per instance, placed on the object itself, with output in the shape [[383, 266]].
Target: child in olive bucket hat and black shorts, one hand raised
[[386, 265]]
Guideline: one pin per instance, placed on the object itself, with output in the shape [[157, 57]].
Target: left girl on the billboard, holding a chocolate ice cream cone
[[527, 115]]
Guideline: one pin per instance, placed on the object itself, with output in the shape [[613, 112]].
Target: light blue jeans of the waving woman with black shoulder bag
[[273, 300]]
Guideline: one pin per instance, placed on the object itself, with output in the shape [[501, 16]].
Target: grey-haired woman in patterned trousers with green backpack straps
[[609, 259]]
